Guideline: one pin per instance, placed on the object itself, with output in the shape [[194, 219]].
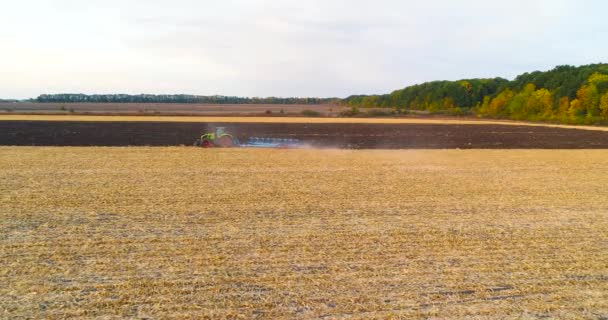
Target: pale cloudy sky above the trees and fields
[[300, 48]]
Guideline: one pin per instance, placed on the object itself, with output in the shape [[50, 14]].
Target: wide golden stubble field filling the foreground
[[238, 233]]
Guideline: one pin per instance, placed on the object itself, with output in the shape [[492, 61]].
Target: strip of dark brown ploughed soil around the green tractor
[[357, 136]]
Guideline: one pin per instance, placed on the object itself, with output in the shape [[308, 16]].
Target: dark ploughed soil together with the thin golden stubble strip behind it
[[350, 133]]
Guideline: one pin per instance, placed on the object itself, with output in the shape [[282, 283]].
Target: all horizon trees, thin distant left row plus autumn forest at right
[[564, 94]]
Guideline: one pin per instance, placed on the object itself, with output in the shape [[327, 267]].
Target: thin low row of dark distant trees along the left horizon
[[174, 98]]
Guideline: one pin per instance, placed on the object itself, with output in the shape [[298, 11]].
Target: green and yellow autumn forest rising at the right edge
[[564, 94]]
